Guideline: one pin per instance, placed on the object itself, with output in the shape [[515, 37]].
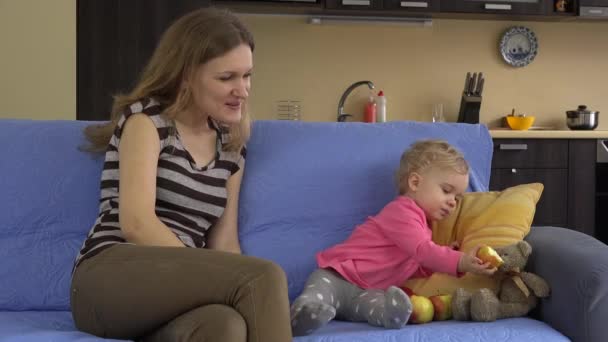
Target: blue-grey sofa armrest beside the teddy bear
[[576, 267]]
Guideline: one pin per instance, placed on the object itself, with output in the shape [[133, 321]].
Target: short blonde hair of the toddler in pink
[[426, 154]]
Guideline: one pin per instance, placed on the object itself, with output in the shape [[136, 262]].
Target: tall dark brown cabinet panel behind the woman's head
[[115, 38]]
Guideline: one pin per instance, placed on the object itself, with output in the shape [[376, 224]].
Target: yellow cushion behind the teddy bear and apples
[[495, 218]]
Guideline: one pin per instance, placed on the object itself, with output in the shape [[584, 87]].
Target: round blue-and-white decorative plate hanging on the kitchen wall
[[519, 46]]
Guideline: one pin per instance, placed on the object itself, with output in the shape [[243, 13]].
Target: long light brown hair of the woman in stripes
[[192, 40]]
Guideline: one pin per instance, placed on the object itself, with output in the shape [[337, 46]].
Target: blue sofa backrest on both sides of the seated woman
[[306, 186]]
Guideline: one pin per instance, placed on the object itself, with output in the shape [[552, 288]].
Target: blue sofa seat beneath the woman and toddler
[[58, 326]]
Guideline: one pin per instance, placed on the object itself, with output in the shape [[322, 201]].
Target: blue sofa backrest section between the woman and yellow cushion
[[307, 185]]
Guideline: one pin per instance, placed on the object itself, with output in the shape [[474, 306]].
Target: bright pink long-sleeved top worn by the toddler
[[389, 248]]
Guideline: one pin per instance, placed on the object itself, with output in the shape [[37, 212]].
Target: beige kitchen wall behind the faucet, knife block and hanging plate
[[419, 66]]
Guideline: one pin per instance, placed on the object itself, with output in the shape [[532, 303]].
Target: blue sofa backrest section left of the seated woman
[[49, 192]]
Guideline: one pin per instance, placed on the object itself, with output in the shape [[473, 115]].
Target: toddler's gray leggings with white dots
[[327, 296]]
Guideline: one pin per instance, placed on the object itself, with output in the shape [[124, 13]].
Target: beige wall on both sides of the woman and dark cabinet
[[293, 60]]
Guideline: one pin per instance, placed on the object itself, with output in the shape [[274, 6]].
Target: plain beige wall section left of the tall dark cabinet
[[38, 59]]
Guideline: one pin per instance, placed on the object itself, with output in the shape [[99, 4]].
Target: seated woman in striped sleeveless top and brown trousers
[[162, 261]]
